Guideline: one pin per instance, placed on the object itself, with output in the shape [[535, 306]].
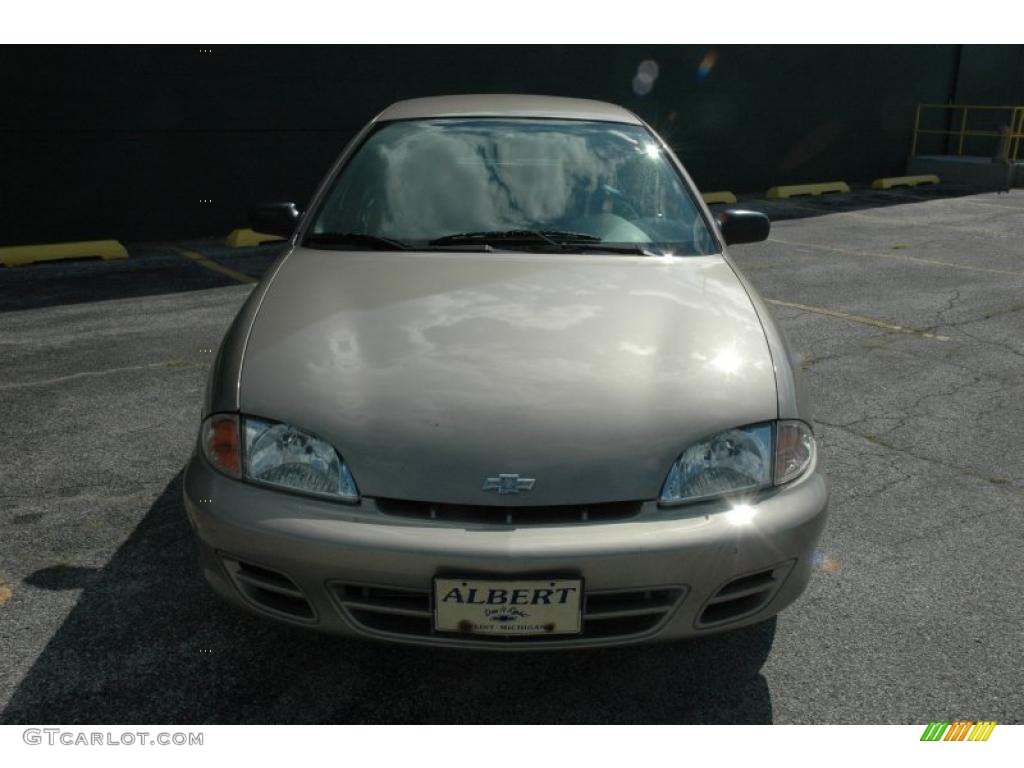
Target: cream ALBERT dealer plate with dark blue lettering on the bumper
[[548, 607]]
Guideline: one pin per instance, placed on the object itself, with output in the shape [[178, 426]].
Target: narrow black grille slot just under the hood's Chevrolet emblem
[[464, 514]]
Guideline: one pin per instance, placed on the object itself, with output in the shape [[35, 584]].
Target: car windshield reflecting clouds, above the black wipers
[[533, 185]]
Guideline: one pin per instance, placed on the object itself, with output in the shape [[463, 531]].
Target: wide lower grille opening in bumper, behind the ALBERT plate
[[407, 613]]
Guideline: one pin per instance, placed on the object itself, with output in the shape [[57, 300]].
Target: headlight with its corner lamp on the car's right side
[[739, 460]]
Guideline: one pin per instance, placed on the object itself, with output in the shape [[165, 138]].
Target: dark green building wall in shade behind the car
[[123, 142]]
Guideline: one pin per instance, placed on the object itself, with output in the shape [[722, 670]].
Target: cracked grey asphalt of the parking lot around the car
[[915, 613]]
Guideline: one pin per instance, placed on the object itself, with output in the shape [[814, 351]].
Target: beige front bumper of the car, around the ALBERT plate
[[665, 574]]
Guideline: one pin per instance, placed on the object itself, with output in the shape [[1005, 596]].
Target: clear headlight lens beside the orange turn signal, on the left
[[281, 455]]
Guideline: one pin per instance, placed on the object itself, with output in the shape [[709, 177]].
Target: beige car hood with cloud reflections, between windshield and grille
[[433, 372]]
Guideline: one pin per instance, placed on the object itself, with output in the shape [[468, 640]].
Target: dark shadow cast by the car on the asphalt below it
[[149, 643]]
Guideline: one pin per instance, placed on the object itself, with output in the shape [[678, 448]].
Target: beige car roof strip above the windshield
[[507, 106]]
